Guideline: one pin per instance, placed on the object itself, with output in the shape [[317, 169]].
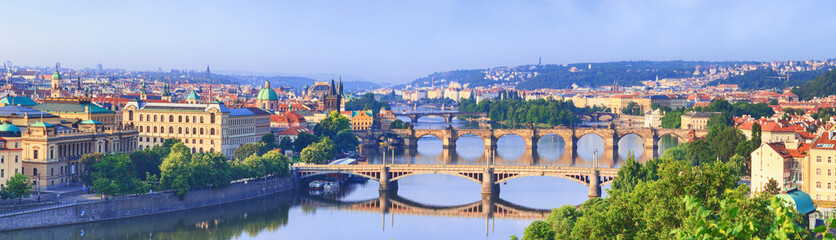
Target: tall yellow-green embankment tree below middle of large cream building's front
[[176, 172]]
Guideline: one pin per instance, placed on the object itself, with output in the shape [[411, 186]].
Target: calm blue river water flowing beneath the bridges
[[429, 206]]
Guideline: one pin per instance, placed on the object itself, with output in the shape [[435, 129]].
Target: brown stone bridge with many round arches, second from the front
[[531, 136]]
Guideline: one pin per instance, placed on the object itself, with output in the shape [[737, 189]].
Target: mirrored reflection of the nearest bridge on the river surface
[[387, 202]]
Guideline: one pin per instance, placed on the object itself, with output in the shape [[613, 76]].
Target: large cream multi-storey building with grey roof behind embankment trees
[[202, 127]]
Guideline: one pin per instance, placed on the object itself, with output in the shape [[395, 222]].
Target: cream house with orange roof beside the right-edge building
[[778, 161]]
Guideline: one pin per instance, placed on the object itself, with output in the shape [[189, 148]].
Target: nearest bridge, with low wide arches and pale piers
[[489, 176]]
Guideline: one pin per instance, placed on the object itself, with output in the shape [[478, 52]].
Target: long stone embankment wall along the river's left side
[[140, 206]]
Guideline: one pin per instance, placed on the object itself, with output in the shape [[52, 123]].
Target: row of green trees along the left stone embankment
[[173, 166]]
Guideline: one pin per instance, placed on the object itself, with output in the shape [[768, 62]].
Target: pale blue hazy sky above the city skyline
[[399, 41]]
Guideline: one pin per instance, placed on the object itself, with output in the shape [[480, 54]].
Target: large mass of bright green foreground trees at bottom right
[[671, 198]]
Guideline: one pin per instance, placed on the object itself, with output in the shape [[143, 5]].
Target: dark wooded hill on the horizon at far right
[[768, 79]]
